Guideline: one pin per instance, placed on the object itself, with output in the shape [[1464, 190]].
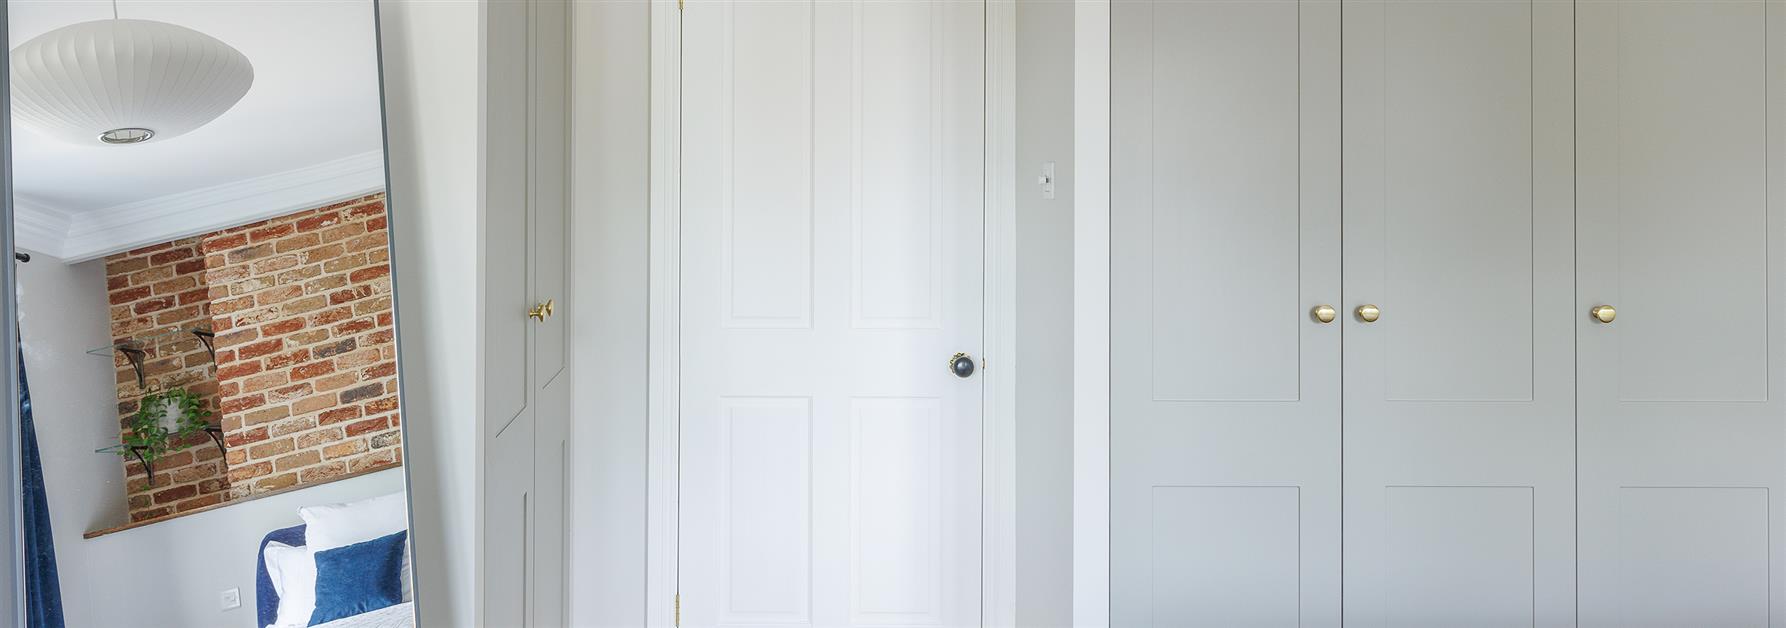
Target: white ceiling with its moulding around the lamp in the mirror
[[308, 126]]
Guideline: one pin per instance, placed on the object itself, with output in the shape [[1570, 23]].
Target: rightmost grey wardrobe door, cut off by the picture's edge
[[1683, 429]]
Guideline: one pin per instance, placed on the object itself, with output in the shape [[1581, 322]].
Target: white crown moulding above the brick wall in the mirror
[[92, 235]]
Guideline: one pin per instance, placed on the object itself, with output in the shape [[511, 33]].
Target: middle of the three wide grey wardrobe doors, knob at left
[[1460, 397]]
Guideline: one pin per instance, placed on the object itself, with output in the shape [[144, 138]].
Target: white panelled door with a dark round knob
[[831, 265]]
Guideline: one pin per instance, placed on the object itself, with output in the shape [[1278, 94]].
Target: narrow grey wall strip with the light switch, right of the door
[[1046, 315]]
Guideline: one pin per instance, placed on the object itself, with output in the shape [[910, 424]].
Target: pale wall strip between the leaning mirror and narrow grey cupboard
[[431, 87]]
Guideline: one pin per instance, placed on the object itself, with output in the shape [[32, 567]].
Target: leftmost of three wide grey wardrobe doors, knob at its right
[[1226, 392]]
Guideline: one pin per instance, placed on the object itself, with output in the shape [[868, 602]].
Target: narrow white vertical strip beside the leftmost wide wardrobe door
[[1092, 313]]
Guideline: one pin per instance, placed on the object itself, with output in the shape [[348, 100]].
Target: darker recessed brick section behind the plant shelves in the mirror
[[160, 290]]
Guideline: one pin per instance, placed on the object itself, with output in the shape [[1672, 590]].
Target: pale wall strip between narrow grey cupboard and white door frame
[[610, 206]]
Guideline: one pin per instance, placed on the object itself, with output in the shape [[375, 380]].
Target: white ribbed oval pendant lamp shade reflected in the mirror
[[126, 81]]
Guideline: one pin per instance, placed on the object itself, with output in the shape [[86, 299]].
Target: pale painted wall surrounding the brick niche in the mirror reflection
[[167, 574]]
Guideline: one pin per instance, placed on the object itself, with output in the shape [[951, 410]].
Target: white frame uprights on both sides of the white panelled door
[[999, 320]]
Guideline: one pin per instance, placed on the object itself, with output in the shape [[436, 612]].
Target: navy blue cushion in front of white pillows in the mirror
[[358, 579]]
